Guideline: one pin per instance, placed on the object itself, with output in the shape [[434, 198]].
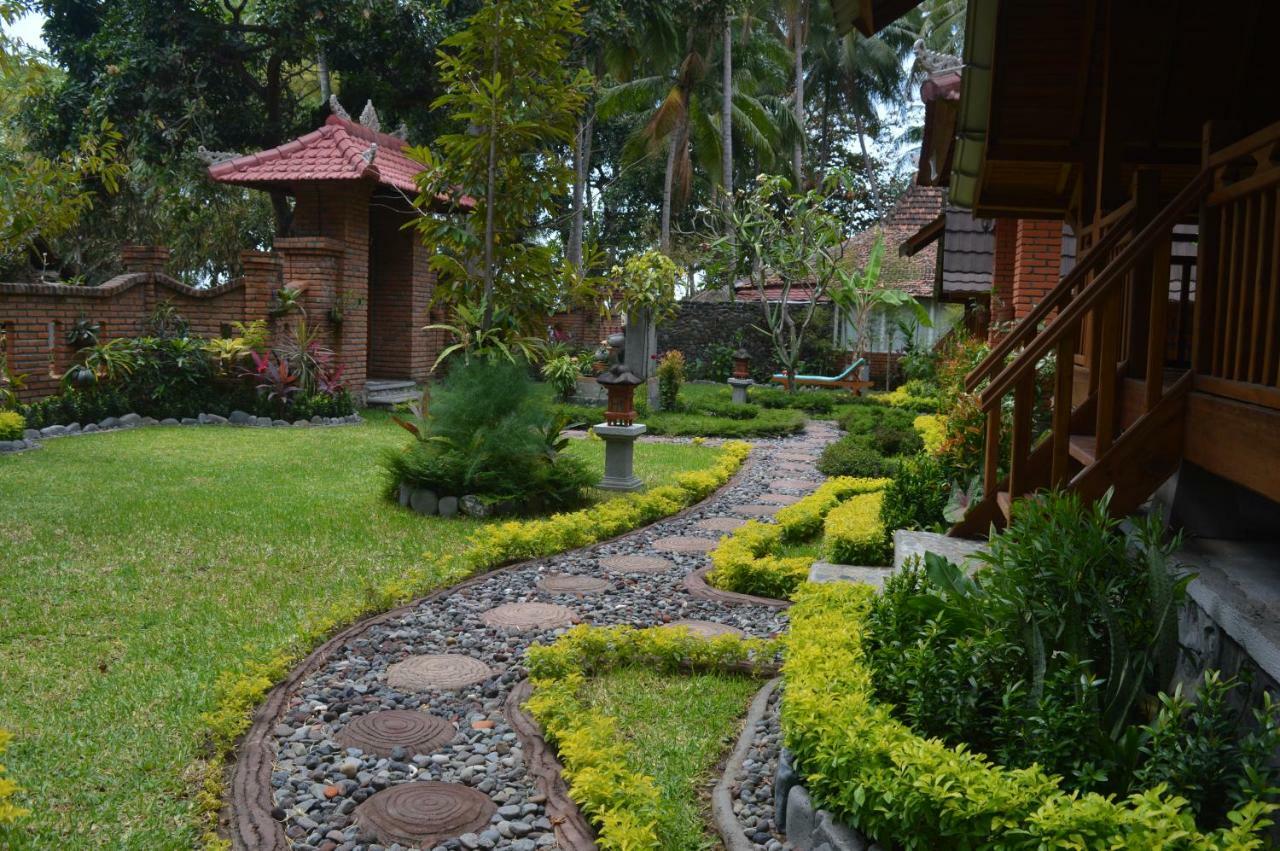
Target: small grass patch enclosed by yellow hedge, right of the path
[[679, 728]]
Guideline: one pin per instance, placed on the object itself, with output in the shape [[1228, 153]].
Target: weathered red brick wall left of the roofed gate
[[35, 318]]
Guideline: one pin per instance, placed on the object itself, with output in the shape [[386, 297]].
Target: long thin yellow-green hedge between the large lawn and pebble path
[[243, 689]]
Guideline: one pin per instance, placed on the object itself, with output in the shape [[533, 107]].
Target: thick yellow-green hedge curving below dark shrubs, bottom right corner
[[876, 775]]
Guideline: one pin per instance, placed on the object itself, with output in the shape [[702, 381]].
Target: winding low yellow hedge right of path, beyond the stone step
[[747, 562]]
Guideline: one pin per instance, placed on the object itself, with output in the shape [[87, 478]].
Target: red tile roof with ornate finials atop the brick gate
[[333, 153]]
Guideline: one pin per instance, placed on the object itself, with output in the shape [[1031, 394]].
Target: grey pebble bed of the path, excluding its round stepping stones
[[298, 788]]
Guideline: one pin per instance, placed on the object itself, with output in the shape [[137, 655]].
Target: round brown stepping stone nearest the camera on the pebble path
[[426, 813]]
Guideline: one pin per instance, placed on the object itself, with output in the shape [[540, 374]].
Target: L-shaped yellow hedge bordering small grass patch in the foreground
[[620, 802]]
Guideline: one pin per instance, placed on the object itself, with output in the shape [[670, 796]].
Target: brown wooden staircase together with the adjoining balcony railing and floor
[[1159, 346]]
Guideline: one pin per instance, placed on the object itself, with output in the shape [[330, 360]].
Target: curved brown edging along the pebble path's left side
[[248, 804]]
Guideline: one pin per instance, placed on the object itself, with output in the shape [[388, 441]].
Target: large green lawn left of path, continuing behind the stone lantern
[[139, 565]]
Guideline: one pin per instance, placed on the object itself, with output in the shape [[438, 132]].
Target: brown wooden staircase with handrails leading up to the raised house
[[1113, 414]]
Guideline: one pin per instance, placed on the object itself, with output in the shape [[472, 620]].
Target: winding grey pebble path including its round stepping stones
[[399, 739]]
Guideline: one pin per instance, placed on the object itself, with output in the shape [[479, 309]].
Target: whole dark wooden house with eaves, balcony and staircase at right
[[1154, 132]]
